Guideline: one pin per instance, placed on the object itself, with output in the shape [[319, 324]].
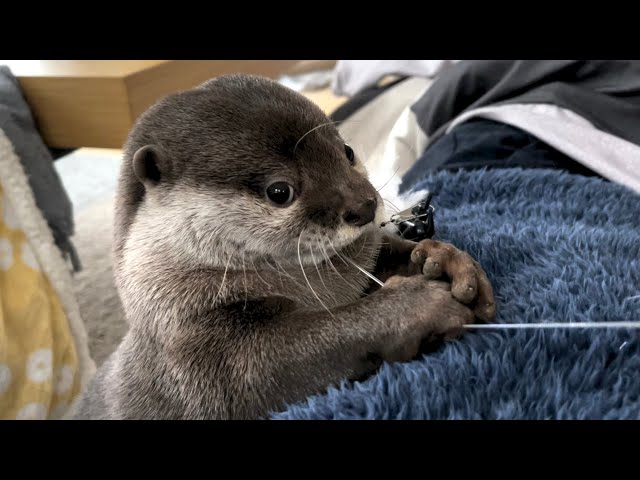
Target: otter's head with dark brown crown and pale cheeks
[[242, 164]]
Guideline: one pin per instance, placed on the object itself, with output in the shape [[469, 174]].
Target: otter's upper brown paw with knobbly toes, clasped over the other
[[469, 282]]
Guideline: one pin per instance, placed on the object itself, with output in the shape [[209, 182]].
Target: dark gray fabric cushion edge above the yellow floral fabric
[[18, 125]]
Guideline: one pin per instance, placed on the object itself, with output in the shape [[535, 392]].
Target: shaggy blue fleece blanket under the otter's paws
[[557, 247]]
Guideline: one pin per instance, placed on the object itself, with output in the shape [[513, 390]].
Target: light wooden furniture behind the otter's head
[[93, 103]]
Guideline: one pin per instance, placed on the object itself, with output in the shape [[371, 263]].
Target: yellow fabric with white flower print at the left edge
[[39, 375]]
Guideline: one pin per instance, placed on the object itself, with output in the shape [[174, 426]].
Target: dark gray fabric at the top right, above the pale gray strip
[[605, 92]]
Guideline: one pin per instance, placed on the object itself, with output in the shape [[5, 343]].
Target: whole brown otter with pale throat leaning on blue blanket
[[241, 216]]
